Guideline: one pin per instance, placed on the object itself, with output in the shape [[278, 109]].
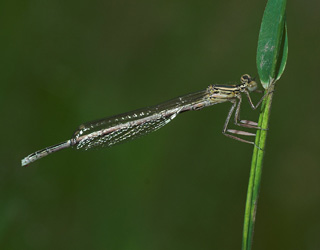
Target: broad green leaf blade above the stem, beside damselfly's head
[[272, 49]]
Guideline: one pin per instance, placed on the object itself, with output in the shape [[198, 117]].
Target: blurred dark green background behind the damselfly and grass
[[184, 187]]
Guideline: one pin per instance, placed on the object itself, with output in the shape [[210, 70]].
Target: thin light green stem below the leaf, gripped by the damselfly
[[256, 171]]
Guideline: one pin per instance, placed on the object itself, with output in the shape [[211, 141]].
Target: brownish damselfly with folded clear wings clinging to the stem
[[124, 127]]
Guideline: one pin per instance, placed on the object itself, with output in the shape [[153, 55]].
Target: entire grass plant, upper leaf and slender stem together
[[272, 56]]
